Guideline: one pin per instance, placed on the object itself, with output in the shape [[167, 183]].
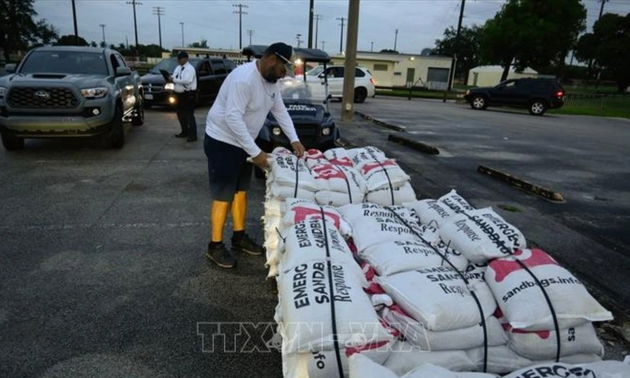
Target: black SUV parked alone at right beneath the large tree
[[535, 94]]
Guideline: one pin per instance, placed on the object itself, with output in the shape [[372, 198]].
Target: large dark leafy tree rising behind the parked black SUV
[[534, 33]]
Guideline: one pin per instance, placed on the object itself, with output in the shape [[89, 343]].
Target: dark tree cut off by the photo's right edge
[[609, 47]]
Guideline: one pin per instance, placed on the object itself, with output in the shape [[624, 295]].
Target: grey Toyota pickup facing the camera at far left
[[67, 91]]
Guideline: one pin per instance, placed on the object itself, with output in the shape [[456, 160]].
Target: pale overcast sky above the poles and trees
[[419, 22]]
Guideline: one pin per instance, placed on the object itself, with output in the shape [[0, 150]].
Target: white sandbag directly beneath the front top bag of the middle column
[[463, 338]]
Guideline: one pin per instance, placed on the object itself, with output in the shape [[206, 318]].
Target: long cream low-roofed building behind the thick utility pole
[[401, 70]]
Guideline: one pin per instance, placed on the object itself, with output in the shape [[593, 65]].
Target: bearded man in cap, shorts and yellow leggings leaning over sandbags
[[248, 94]]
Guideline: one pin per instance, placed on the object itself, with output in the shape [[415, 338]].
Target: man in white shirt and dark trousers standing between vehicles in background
[[185, 80]]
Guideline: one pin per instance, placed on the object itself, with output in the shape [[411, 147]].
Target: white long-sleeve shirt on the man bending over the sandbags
[[241, 107]]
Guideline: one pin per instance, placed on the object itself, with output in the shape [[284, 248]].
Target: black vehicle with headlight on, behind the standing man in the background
[[211, 72]]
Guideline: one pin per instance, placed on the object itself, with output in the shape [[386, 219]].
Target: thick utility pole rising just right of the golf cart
[[351, 61]]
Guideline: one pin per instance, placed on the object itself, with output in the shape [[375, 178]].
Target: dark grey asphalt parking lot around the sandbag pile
[[102, 271]]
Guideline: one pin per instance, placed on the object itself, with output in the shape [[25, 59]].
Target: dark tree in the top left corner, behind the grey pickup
[[19, 30]]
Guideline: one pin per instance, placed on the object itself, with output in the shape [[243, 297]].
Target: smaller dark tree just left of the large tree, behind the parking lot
[[467, 50]]
